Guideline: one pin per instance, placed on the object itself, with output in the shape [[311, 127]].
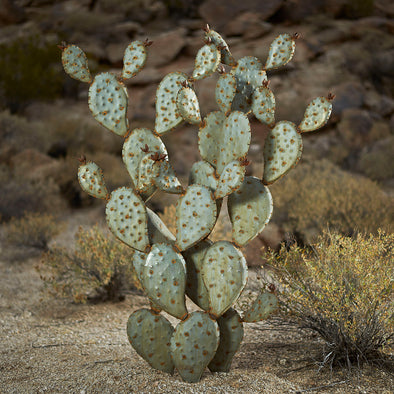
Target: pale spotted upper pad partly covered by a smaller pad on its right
[[167, 114]]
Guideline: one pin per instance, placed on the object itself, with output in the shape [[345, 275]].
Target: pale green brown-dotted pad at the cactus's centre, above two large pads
[[195, 216]]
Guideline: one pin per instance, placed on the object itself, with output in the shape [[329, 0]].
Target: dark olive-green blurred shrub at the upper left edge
[[29, 70]]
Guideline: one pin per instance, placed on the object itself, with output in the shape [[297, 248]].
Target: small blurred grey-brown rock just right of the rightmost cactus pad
[[348, 95]]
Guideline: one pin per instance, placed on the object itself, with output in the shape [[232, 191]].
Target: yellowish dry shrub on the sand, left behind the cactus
[[100, 268]]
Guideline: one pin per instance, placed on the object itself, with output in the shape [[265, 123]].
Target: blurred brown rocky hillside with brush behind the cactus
[[345, 179]]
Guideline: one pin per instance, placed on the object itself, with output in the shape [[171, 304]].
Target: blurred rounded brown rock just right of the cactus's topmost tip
[[249, 25]]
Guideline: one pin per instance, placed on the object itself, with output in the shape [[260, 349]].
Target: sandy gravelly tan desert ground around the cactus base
[[54, 346]]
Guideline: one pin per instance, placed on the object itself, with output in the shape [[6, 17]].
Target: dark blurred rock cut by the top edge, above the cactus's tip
[[219, 13]]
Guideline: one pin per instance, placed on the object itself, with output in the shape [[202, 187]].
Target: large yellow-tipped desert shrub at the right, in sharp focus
[[341, 288]]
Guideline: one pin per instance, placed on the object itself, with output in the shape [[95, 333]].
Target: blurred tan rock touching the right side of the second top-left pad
[[166, 47]]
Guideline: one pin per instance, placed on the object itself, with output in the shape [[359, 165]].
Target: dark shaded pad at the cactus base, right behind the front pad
[[231, 335]]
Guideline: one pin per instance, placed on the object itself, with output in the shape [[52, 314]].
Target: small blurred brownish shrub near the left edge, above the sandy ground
[[33, 230]]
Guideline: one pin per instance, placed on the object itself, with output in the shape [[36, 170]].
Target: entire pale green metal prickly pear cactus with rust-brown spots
[[171, 266]]
